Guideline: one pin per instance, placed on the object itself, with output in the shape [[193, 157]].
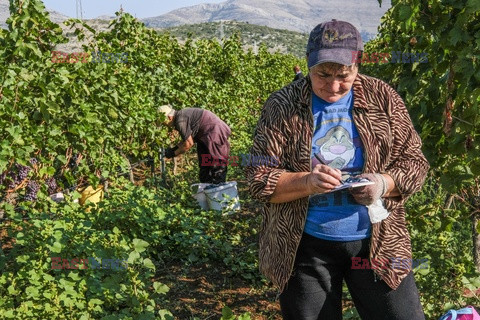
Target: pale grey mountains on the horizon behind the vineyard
[[294, 15]]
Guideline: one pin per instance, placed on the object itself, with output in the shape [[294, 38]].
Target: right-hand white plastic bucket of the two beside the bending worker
[[223, 197]]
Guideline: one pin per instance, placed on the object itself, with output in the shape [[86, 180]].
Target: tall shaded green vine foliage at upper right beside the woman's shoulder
[[442, 94]]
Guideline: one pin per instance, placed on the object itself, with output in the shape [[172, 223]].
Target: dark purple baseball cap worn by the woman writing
[[333, 41]]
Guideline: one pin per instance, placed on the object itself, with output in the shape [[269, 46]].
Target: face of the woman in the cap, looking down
[[332, 81]]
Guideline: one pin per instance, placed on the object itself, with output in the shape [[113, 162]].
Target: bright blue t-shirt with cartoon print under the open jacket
[[336, 215]]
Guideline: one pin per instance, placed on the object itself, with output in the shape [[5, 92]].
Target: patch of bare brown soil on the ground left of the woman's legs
[[202, 291]]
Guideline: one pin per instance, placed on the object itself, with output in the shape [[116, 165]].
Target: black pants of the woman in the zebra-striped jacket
[[314, 291]]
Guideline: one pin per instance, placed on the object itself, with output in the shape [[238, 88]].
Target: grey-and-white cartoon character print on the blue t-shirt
[[336, 148]]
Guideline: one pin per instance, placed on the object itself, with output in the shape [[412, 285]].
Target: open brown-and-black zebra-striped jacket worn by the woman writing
[[392, 146]]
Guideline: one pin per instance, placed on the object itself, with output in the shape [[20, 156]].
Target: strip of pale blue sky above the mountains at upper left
[[138, 8]]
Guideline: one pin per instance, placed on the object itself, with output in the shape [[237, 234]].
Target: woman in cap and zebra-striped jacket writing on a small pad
[[294, 253]]
